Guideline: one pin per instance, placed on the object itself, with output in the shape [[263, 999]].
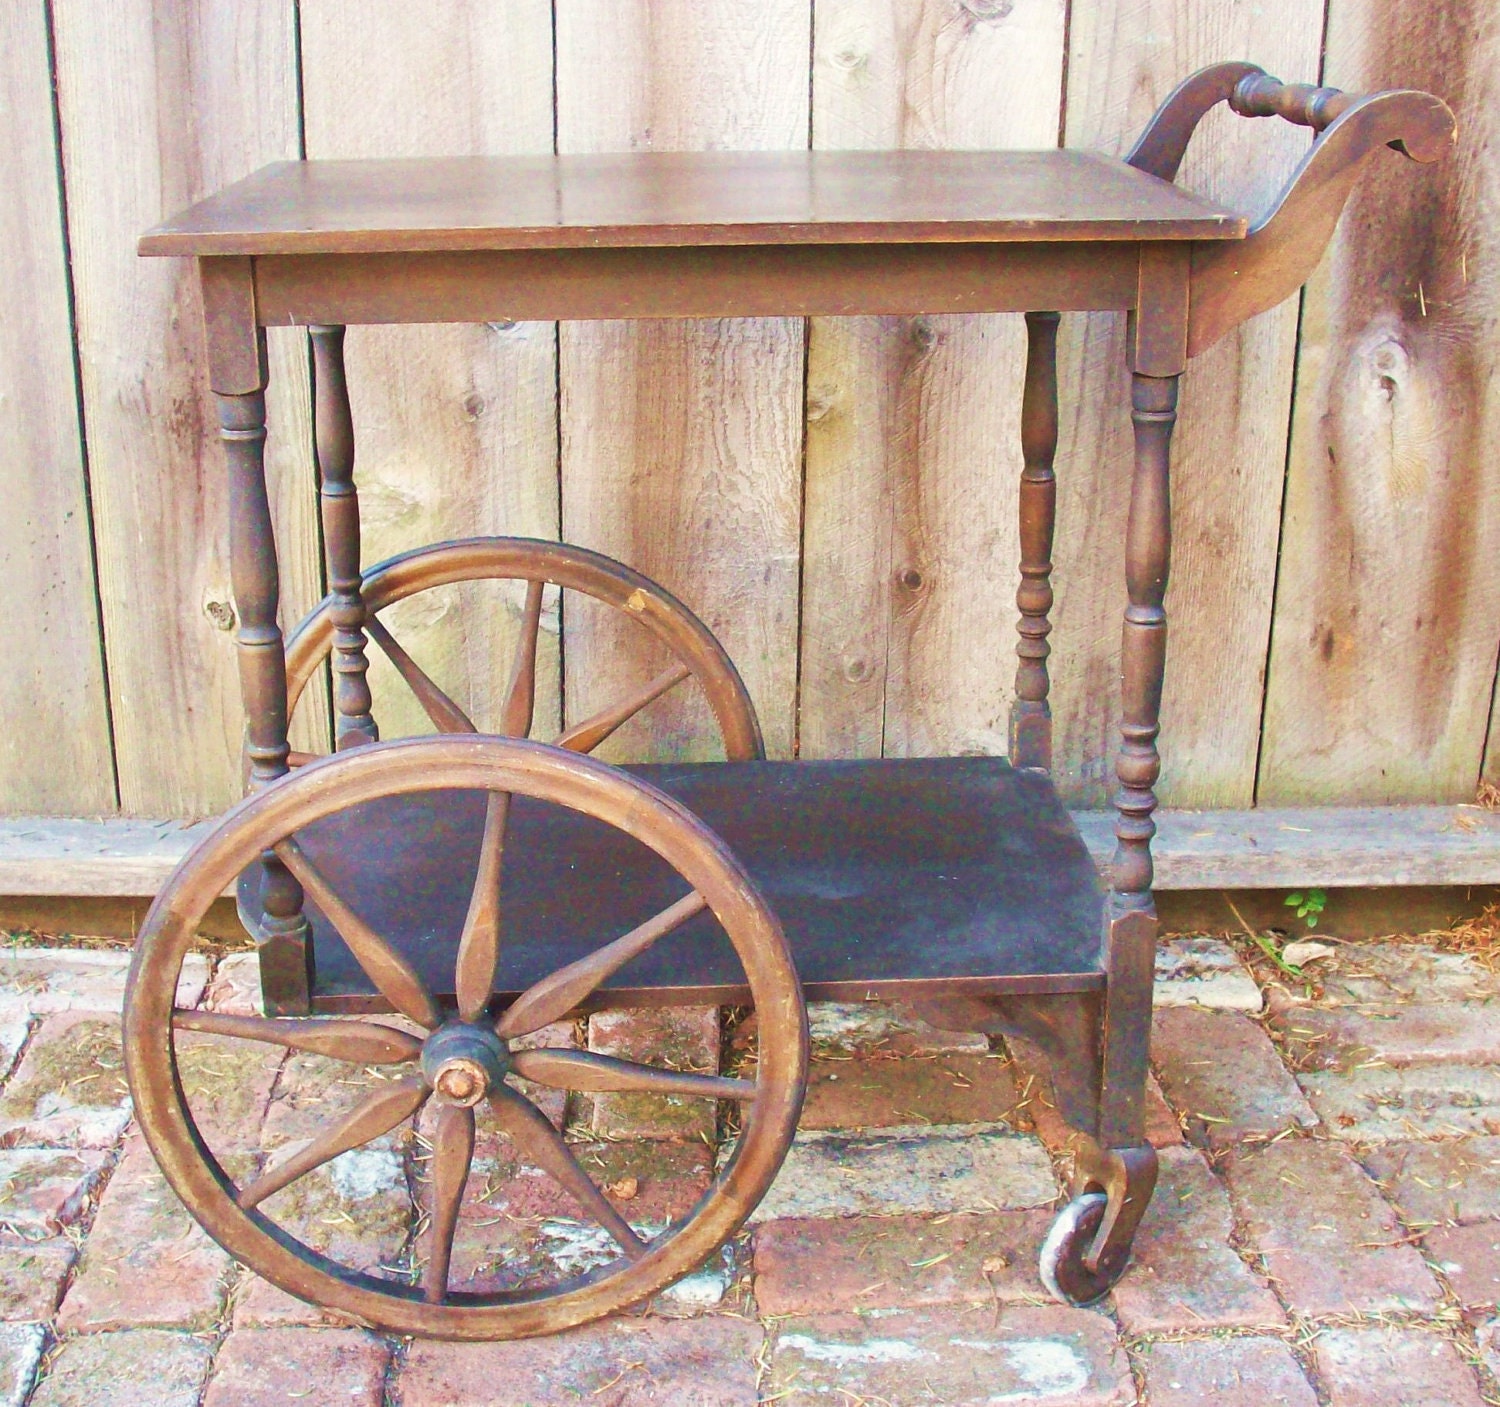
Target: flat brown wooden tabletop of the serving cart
[[655, 199]]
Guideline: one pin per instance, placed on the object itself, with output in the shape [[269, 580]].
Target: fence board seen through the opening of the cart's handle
[[1231, 445]]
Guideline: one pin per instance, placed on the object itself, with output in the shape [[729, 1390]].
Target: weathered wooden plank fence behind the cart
[[836, 497]]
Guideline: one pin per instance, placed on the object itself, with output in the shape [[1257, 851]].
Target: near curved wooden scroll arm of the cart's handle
[[1235, 280]]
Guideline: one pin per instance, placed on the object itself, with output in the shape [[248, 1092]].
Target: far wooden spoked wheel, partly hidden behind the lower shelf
[[695, 652]]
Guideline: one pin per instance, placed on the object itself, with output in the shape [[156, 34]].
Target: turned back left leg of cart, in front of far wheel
[[334, 431]]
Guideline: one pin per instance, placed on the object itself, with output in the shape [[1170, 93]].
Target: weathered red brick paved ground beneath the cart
[[1327, 1231]]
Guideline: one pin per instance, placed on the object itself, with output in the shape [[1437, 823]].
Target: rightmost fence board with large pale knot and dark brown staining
[[1388, 608]]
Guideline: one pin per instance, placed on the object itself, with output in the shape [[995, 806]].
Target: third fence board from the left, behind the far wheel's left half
[[455, 428]]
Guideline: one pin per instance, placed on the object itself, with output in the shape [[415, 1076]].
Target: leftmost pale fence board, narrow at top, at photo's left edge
[[55, 728]]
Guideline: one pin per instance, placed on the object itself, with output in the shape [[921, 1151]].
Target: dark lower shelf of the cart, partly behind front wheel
[[892, 878]]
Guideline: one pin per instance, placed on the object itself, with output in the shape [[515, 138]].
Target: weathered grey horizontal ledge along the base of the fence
[[1387, 847]]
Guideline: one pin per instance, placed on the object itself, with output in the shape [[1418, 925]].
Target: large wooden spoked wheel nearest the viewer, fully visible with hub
[[461, 1063]]
